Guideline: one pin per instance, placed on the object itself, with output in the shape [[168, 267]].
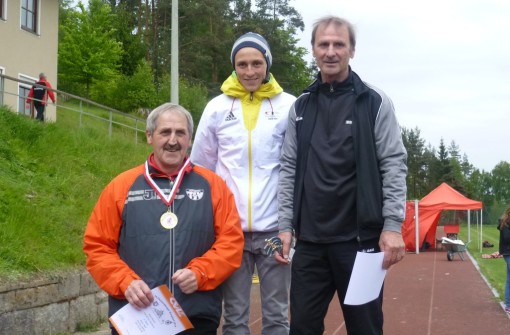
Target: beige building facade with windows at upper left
[[28, 46]]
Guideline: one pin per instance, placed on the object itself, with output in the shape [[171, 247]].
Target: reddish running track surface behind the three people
[[424, 294]]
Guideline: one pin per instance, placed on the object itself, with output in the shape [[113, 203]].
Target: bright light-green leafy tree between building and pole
[[88, 52]]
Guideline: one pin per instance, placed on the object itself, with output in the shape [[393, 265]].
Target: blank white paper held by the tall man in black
[[366, 279]]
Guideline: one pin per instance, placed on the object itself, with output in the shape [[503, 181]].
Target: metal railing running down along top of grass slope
[[84, 108]]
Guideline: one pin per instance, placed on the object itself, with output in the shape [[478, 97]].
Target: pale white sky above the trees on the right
[[445, 64]]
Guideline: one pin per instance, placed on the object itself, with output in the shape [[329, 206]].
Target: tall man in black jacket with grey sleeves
[[342, 186]]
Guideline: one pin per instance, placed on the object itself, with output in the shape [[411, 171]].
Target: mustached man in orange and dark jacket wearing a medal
[[166, 221]]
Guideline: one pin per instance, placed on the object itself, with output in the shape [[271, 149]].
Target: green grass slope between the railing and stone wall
[[50, 178]]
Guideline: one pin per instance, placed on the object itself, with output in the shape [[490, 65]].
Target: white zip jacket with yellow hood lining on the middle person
[[240, 136]]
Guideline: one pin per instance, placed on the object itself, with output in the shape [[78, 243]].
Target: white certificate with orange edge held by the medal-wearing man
[[163, 316]]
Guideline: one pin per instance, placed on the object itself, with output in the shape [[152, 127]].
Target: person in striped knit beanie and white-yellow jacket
[[240, 136]]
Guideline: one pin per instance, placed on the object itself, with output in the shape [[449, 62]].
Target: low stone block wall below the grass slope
[[51, 305]]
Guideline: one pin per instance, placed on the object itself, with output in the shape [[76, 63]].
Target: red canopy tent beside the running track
[[441, 198]]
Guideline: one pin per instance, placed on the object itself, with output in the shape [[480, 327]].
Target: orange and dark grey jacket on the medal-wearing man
[[124, 239]]
